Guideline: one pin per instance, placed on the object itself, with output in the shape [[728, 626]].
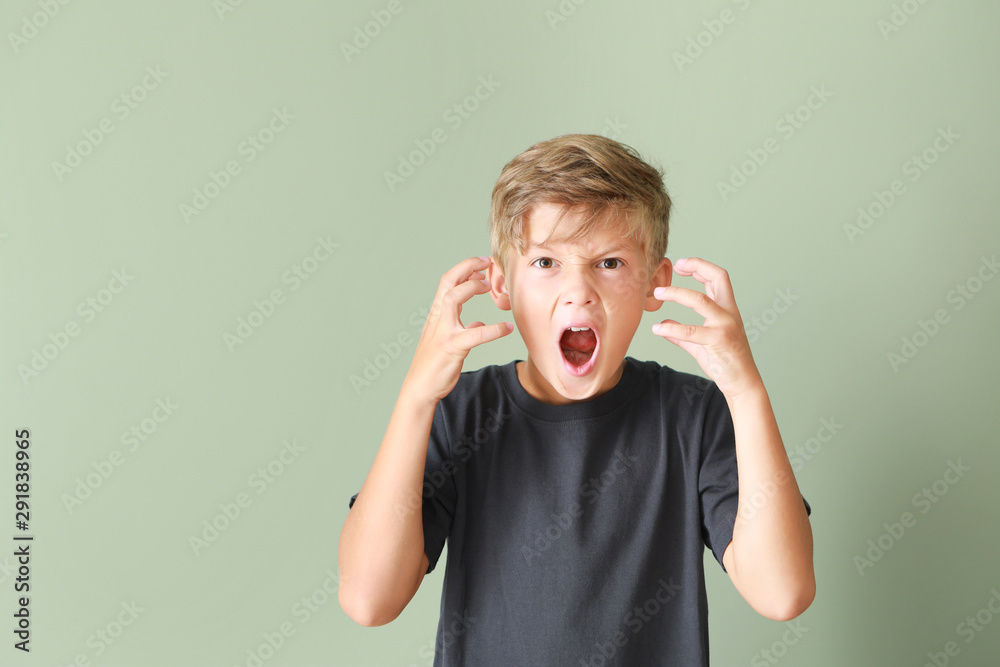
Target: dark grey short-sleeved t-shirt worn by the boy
[[576, 532]]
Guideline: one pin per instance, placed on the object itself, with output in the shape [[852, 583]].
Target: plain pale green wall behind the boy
[[162, 336]]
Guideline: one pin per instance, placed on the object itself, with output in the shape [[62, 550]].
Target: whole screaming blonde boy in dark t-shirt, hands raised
[[578, 488]]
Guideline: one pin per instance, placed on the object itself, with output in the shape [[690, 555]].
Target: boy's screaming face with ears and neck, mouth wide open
[[599, 283]]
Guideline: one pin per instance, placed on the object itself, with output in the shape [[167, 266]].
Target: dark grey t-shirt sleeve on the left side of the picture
[[438, 495]]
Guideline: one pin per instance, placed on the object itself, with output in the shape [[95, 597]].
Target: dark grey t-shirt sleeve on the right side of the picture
[[718, 480]]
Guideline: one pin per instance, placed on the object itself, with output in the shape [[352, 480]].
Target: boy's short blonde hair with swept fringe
[[607, 181]]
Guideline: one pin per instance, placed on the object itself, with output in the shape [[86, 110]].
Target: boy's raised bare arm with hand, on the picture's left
[[381, 554]]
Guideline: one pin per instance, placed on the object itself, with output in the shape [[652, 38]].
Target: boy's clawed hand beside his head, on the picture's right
[[719, 345]]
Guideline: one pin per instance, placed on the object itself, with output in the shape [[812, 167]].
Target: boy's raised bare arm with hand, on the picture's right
[[769, 559]]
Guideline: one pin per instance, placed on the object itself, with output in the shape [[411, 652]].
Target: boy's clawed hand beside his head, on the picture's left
[[444, 342]]
